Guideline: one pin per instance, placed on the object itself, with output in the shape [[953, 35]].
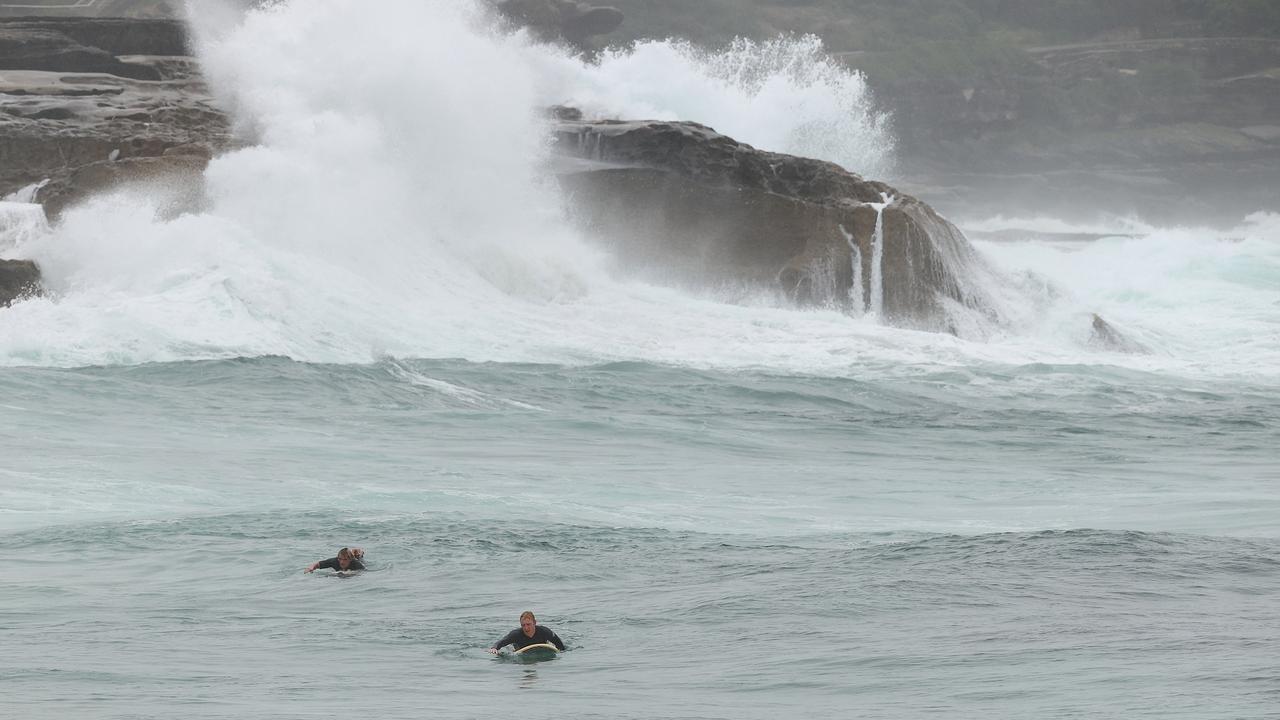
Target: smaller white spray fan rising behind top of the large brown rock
[[784, 95]]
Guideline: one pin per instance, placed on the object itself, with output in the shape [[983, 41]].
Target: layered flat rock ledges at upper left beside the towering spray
[[66, 110]]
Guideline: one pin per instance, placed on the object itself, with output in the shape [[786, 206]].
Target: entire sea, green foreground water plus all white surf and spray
[[382, 334]]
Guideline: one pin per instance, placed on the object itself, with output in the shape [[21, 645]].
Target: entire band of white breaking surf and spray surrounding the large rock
[[397, 207]]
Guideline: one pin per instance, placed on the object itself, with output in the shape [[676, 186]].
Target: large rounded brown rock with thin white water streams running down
[[698, 208]]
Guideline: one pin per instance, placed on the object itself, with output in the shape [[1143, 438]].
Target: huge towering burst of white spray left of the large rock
[[390, 206]]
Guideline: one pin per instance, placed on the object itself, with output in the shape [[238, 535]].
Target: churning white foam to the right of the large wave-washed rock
[[1192, 295]]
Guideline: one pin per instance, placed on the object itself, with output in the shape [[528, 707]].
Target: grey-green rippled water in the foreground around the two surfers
[[708, 544]]
